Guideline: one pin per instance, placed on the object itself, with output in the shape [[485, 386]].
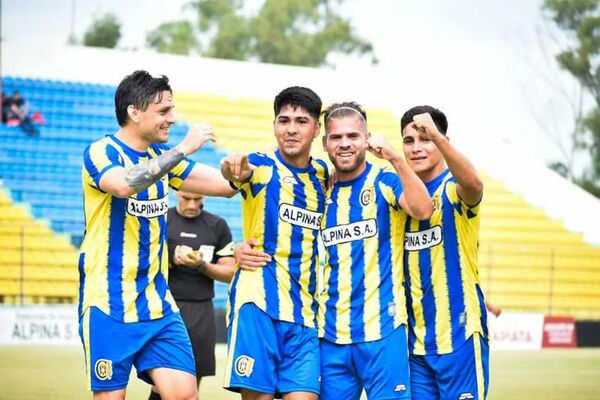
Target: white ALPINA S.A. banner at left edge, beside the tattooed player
[[39, 325]]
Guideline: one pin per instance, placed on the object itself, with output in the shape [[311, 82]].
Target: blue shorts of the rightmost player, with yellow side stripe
[[462, 374]]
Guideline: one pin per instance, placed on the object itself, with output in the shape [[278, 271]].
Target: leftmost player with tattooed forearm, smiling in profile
[[127, 314]]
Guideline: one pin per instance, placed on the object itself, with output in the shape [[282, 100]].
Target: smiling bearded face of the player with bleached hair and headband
[[346, 144]]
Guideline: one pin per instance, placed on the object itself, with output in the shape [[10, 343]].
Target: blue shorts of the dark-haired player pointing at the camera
[[270, 356]]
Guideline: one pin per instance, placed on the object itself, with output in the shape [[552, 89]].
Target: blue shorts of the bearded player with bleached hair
[[380, 367]]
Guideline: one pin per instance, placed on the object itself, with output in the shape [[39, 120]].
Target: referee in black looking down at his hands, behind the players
[[200, 252]]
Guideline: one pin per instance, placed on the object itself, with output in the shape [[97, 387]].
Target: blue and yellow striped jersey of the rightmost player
[[445, 302]]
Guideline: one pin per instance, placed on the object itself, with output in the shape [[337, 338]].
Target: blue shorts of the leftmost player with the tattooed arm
[[112, 347]]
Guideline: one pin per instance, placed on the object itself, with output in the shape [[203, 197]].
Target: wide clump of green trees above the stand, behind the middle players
[[295, 32]]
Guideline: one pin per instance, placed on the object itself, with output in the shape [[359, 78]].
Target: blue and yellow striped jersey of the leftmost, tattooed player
[[124, 260]]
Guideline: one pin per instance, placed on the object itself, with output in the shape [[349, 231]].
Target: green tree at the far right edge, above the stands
[[580, 21]]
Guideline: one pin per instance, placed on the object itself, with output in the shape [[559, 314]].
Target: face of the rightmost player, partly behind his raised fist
[[421, 154]]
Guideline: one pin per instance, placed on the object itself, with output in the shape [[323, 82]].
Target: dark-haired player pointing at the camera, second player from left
[[272, 337]]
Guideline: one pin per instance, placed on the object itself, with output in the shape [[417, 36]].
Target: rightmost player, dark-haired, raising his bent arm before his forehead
[[448, 337]]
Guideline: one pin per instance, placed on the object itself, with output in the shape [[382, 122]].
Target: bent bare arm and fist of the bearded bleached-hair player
[[415, 199]]
